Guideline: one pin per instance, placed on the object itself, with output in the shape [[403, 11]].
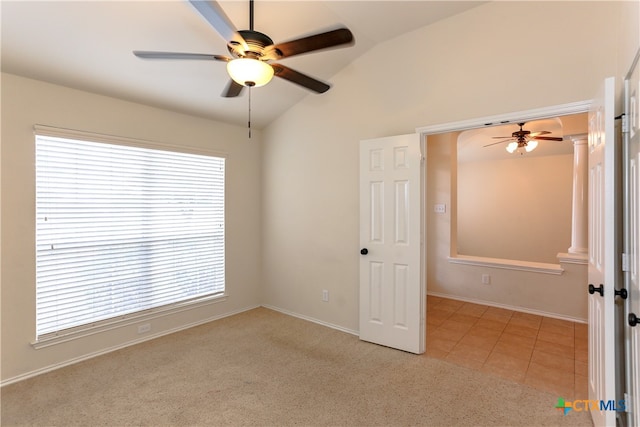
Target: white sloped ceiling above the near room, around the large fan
[[88, 44]]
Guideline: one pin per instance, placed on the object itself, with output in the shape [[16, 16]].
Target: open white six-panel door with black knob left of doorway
[[392, 285]]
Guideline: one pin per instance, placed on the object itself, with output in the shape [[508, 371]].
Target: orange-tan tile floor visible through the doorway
[[545, 353]]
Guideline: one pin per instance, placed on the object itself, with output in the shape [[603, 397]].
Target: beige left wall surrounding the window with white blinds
[[27, 102]]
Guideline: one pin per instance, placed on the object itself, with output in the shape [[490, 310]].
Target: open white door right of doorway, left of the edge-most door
[[603, 251]]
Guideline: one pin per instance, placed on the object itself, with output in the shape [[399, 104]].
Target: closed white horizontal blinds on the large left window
[[121, 229]]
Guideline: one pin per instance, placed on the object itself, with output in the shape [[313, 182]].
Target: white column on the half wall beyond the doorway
[[579, 211]]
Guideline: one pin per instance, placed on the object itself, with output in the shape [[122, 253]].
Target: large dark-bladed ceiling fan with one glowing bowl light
[[252, 52]]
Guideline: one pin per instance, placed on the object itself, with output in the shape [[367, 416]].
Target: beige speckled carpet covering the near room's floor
[[264, 368]]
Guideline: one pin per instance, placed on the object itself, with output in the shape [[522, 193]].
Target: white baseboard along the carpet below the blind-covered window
[[88, 356]]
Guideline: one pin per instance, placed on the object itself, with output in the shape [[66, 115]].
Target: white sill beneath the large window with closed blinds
[[119, 322]]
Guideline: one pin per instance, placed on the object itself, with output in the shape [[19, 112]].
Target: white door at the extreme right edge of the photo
[[632, 242]]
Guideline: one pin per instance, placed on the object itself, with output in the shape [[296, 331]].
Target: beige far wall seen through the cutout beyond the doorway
[[517, 208]]
